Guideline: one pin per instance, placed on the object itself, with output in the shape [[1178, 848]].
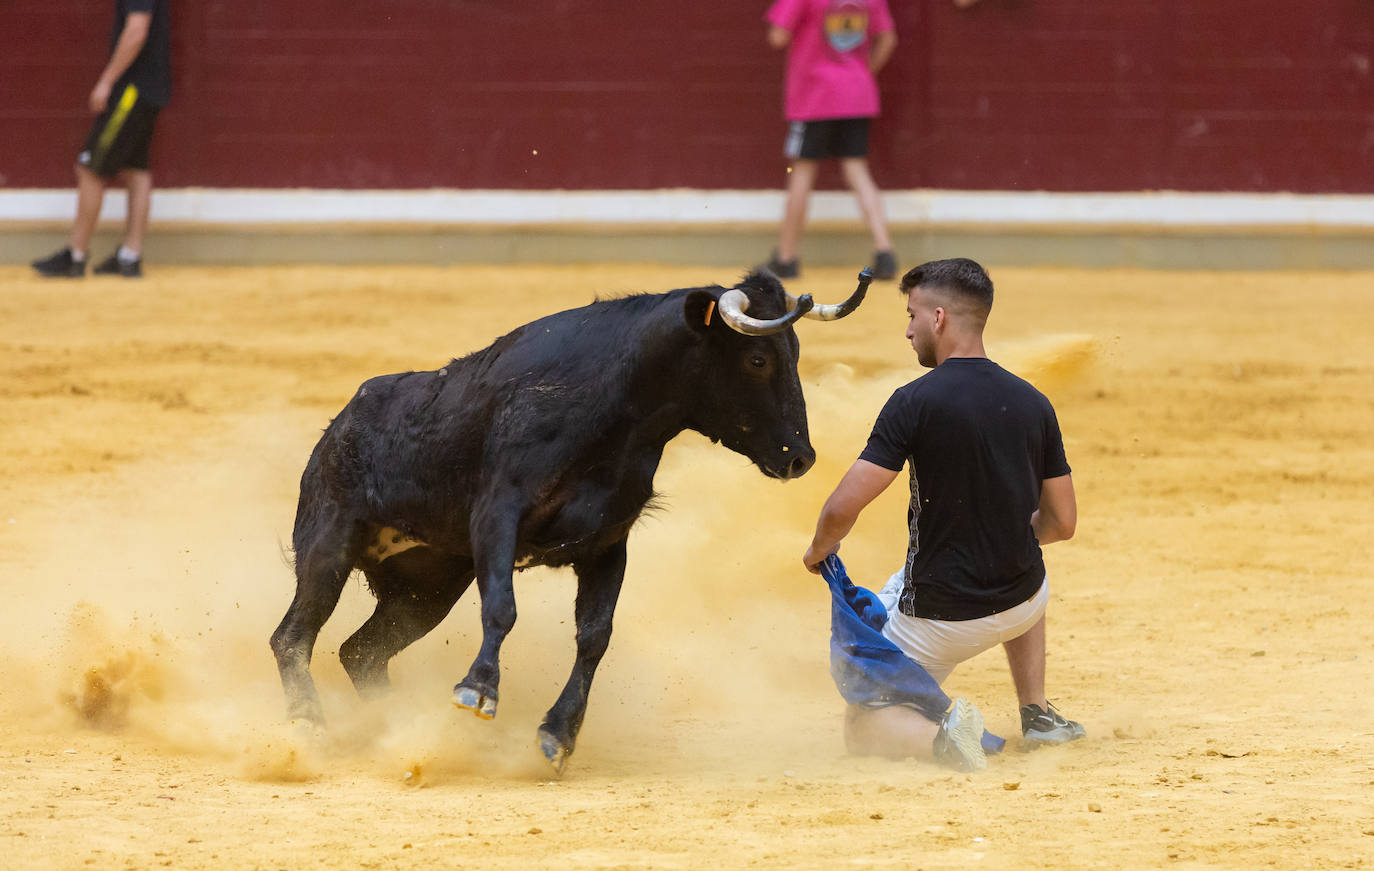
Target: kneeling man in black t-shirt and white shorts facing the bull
[[990, 484]]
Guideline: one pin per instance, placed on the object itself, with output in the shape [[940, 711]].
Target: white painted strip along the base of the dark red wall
[[690, 207]]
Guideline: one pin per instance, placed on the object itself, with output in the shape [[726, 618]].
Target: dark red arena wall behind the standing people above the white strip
[[1070, 95]]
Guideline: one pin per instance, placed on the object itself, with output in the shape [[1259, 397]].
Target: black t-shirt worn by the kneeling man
[[979, 442]]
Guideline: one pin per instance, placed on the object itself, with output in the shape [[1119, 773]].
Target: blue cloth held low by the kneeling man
[[868, 668]]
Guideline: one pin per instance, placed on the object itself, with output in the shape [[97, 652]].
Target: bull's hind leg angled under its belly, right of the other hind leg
[[416, 591]]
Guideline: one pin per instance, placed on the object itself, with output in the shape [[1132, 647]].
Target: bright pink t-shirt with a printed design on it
[[828, 61]]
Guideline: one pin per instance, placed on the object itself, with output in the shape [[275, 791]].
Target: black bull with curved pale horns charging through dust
[[539, 450]]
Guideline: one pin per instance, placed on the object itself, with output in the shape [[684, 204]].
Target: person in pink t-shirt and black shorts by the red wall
[[835, 49]]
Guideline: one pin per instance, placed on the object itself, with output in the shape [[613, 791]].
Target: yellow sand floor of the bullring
[[1213, 623]]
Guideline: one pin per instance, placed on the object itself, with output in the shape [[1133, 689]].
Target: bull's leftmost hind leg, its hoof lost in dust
[[322, 568]]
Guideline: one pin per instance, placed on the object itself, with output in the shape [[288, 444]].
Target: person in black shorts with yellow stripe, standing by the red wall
[[137, 83]]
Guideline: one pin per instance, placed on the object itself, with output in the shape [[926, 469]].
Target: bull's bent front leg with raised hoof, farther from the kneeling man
[[494, 545]]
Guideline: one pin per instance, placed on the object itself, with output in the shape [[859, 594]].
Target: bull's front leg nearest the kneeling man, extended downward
[[598, 589]]
